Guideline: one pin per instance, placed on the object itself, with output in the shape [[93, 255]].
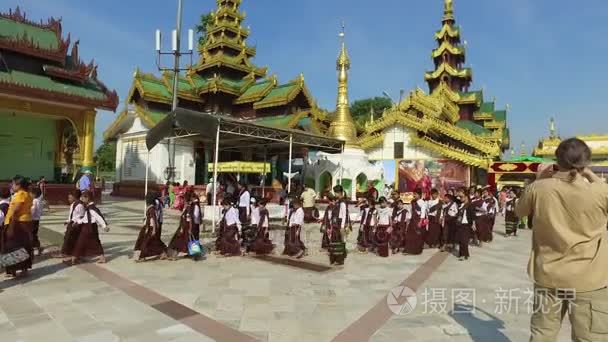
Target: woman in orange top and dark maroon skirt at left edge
[[18, 227]]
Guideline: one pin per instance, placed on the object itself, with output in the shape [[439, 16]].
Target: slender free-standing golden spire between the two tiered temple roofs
[[342, 127]]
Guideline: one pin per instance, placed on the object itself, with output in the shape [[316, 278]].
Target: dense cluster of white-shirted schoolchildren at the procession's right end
[[410, 225]]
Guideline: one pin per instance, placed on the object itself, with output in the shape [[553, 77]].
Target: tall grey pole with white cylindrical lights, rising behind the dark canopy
[[177, 53]]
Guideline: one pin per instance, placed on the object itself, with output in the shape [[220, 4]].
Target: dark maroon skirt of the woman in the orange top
[[20, 238]]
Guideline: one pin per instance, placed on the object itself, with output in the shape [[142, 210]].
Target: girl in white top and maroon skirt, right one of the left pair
[[88, 243]]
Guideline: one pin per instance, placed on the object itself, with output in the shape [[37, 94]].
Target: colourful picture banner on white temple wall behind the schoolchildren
[[428, 174]]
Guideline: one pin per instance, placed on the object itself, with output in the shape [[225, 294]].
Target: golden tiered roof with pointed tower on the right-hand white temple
[[451, 121]]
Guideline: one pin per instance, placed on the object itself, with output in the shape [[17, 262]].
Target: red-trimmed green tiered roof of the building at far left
[[36, 62]]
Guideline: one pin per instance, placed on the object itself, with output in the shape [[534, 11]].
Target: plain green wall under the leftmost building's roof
[[27, 146]]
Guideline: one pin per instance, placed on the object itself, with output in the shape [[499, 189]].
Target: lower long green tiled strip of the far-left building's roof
[[88, 90]]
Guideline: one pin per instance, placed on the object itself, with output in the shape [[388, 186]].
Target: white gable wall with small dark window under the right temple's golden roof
[[398, 134]]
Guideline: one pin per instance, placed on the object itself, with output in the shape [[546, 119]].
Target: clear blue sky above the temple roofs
[[543, 57]]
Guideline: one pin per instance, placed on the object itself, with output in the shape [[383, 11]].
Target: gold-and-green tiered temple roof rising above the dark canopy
[[225, 81]]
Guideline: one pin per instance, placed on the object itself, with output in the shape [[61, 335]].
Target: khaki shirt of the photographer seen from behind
[[569, 238]]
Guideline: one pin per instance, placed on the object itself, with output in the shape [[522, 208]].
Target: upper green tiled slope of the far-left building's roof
[[45, 39]]
